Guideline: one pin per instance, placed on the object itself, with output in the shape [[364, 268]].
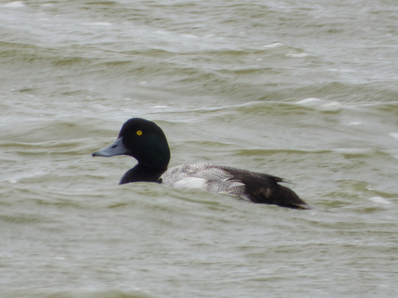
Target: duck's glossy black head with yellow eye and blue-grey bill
[[143, 140]]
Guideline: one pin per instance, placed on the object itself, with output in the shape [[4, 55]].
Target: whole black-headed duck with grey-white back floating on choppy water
[[146, 142]]
